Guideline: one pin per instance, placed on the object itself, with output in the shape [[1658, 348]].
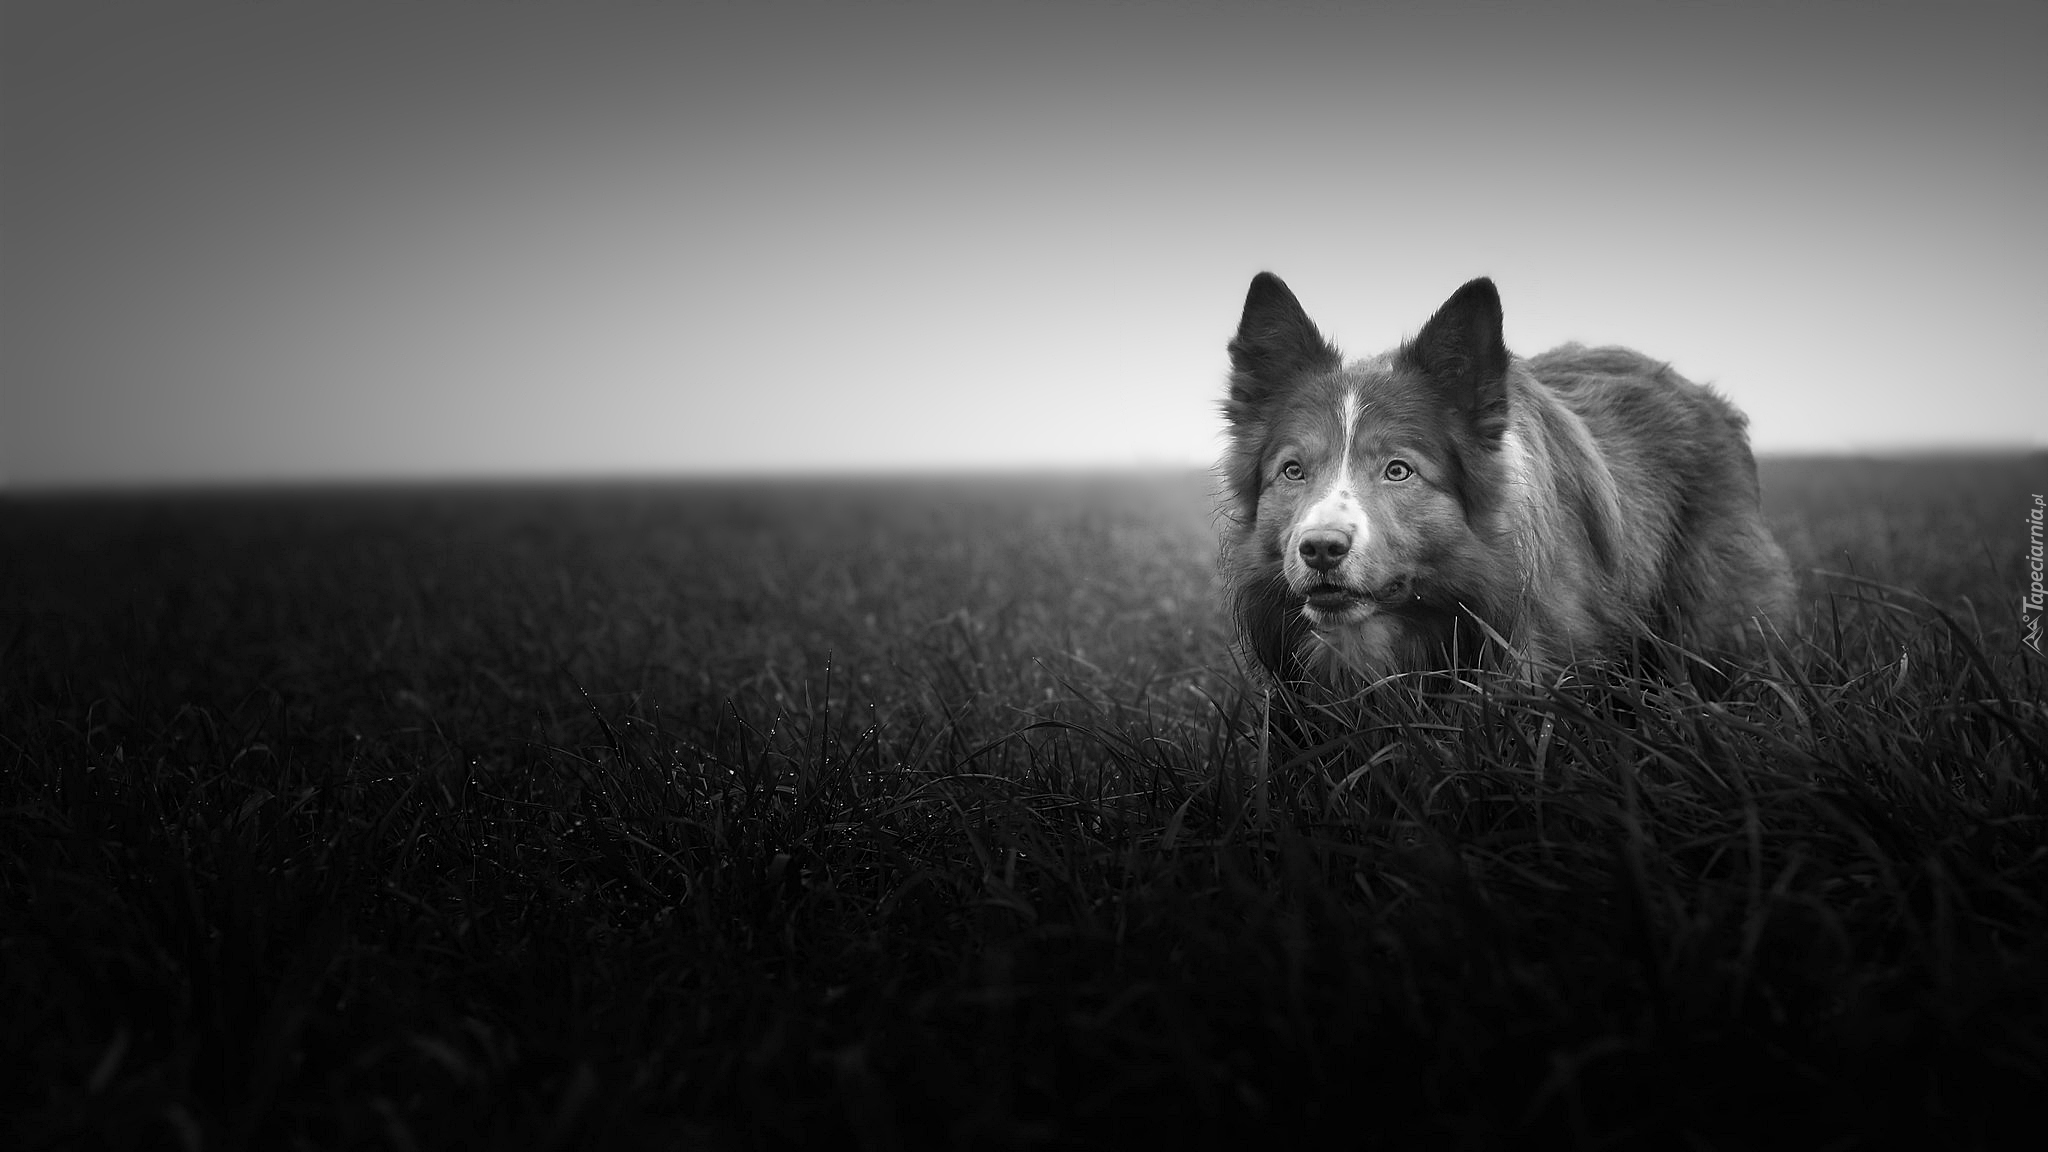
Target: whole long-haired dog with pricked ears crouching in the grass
[[1416, 511]]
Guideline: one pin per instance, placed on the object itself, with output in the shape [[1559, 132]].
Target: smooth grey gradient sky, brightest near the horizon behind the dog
[[466, 239]]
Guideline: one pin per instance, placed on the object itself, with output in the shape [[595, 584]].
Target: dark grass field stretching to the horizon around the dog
[[892, 815]]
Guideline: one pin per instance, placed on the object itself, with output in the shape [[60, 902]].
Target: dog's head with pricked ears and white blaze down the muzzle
[[1357, 487]]
